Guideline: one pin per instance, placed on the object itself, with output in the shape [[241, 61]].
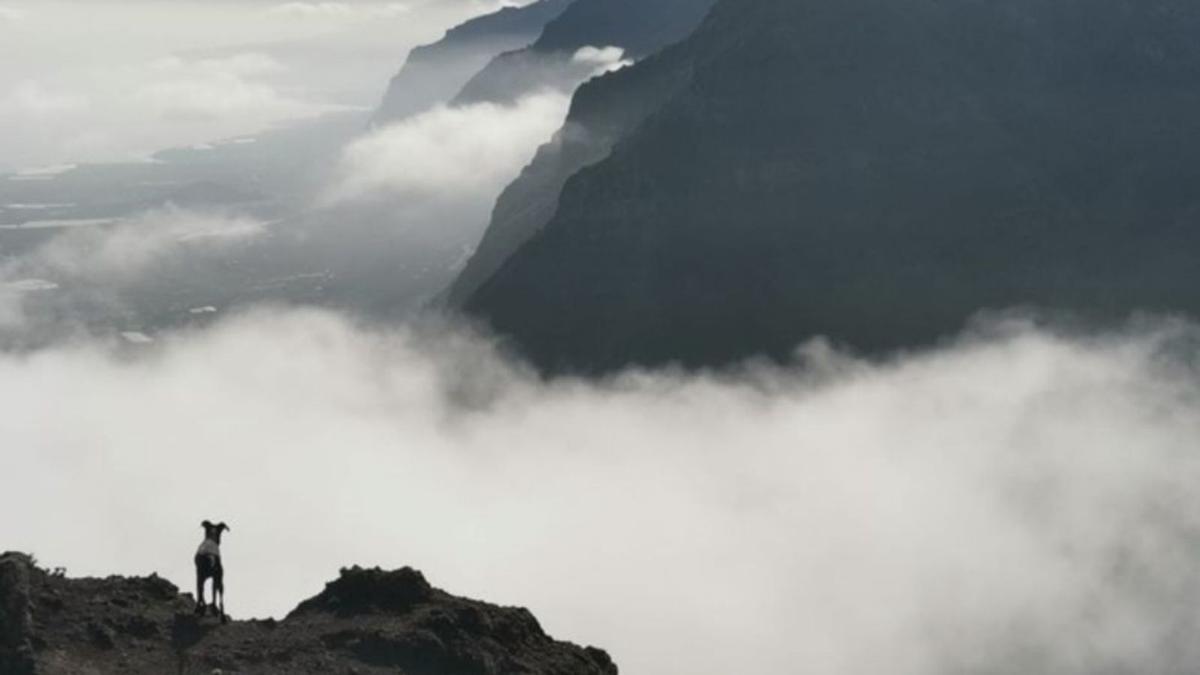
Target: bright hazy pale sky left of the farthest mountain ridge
[[105, 80]]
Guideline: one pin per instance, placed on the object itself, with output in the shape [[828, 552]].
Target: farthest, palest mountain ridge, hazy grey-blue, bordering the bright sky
[[435, 74]]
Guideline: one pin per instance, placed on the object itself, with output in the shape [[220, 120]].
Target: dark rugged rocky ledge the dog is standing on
[[367, 622]]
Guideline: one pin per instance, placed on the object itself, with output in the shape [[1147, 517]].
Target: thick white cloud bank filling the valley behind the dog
[[1017, 501]]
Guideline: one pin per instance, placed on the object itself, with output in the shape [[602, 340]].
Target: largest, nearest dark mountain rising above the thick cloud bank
[[871, 171]]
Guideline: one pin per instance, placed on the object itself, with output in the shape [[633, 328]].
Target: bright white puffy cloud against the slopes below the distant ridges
[[449, 151]]
